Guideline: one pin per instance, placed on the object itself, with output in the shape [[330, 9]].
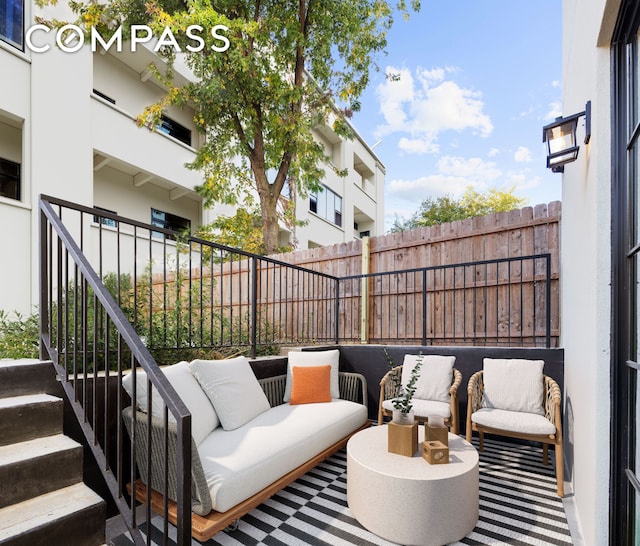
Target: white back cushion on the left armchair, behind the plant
[[436, 376]]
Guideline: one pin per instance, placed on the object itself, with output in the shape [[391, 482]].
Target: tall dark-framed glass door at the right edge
[[625, 354]]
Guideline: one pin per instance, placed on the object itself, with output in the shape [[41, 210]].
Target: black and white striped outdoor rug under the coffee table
[[518, 505]]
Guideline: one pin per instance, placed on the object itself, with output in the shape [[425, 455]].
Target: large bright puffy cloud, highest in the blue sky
[[426, 105]]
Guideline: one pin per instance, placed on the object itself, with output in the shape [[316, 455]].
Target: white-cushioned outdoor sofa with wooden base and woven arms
[[237, 465]]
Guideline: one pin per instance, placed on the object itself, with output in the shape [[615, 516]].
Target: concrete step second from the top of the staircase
[[31, 416]]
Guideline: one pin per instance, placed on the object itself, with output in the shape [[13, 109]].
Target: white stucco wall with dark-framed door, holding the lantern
[[600, 269]]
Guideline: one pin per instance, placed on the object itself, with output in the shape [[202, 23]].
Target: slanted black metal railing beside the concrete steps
[[90, 341]]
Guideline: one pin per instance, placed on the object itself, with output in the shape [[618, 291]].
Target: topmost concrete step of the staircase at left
[[25, 376]]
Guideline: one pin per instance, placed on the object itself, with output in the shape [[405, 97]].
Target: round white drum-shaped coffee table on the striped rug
[[406, 499]]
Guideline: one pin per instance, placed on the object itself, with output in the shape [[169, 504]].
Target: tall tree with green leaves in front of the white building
[[290, 67]]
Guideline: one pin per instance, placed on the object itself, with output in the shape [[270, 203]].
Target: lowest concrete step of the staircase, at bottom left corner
[[72, 516]]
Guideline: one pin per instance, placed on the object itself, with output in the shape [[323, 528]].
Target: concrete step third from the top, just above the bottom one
[[32, 468]]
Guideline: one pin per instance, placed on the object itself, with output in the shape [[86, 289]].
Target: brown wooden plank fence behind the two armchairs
[[468, 279]]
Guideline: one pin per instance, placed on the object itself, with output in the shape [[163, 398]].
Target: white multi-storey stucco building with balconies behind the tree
[[67, 130]]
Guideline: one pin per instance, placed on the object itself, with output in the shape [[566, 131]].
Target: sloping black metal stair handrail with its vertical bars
[[64, 343]]
